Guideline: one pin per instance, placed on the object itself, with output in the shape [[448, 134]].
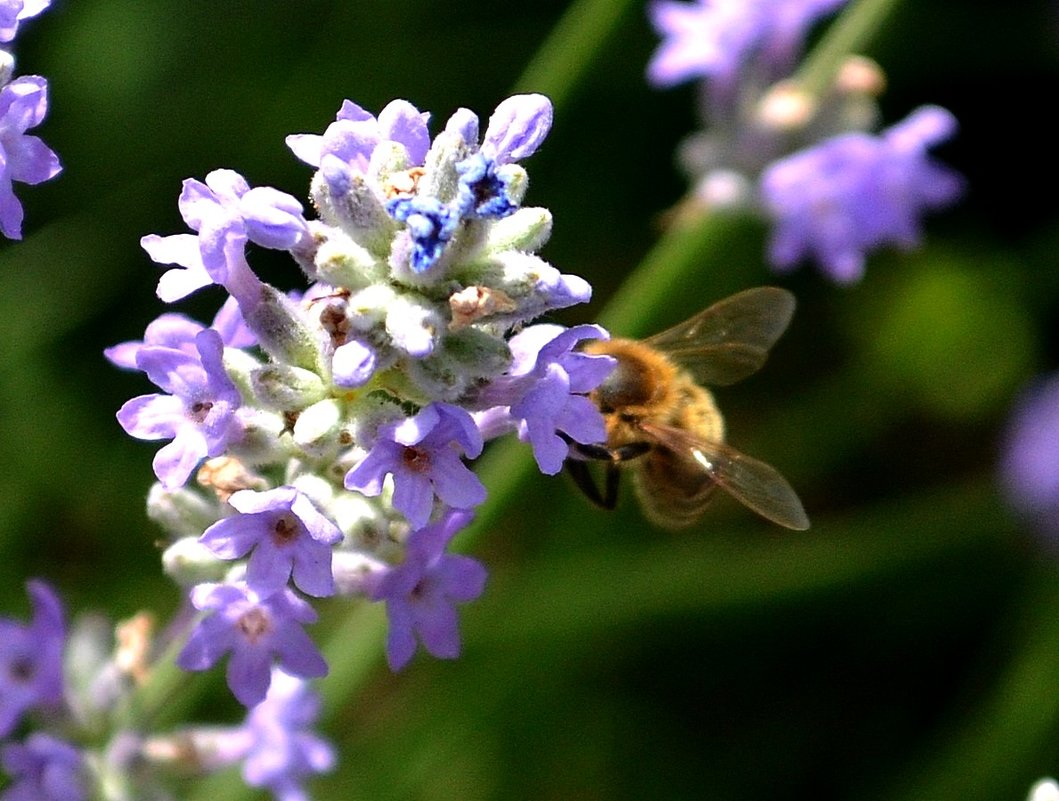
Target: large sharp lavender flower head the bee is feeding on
[[330, 430]]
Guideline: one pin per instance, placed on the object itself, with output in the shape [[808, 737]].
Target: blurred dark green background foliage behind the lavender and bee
[[905, 648]]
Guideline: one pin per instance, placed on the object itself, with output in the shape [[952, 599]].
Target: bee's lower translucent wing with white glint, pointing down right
[[753, 484]]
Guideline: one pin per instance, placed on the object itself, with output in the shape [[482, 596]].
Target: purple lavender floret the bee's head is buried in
[[547, 388]]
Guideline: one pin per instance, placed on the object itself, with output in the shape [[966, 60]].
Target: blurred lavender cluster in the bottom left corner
[[57, 682]]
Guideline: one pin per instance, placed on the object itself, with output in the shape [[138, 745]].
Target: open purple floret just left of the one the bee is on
[[423, 455]]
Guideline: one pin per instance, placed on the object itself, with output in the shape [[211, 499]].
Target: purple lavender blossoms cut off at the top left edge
[[24, 103]]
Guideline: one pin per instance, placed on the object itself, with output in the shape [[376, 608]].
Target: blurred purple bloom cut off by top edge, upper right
[[715, 39]]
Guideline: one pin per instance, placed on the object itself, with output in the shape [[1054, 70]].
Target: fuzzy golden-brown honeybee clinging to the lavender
[[665, 426]]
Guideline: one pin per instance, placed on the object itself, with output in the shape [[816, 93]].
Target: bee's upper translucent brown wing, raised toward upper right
[[731, 340]]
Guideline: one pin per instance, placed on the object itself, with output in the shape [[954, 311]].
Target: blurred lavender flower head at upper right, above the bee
[[832, 189]]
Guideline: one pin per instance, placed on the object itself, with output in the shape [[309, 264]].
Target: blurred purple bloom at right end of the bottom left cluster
[[284, 751]]
